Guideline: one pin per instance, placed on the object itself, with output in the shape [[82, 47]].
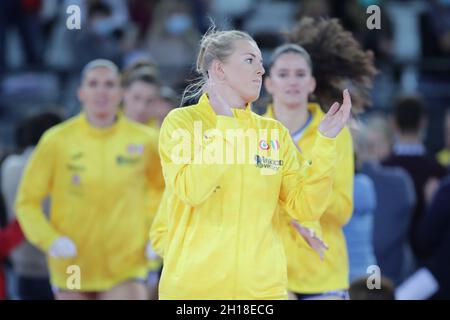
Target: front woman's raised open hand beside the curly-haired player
[[336, 118]]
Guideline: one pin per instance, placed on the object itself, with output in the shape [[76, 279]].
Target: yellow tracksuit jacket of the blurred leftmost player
[[105, 186]]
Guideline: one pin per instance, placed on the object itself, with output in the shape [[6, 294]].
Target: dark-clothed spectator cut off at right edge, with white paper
[[433, 242]]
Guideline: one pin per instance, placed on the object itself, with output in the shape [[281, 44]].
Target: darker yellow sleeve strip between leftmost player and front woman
[[154, 174]]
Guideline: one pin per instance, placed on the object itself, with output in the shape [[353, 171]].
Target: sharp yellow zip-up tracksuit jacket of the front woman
[[221, 239]]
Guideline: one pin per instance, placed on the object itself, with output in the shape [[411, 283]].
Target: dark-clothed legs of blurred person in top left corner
[[22, 14]]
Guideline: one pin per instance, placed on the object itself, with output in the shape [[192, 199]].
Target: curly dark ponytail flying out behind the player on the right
[[338, 59]]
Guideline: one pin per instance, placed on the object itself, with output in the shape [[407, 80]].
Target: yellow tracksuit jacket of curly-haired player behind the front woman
[[307, 274]]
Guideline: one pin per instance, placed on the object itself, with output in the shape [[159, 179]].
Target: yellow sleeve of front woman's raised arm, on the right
[[307, 185]]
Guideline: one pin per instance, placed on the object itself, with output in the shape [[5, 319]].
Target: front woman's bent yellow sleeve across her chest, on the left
[[191, 182]]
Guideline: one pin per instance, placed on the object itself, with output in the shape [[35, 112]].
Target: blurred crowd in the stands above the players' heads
[[40, 58]]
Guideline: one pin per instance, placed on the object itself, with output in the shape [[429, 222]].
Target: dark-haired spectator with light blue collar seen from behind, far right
[[410, 153]]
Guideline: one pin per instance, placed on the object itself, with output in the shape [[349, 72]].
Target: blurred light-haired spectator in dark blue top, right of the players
[[395, 199]]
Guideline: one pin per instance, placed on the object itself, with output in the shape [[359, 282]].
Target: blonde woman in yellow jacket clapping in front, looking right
[[217, 227]]
